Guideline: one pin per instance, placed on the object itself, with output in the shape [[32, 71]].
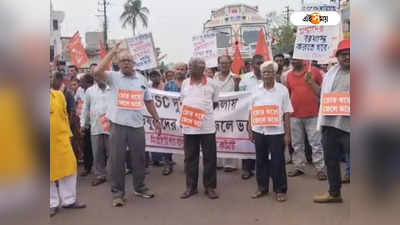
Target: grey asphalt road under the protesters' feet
[[234, 207]]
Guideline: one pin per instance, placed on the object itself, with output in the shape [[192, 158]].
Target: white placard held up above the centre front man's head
[[205, 46]]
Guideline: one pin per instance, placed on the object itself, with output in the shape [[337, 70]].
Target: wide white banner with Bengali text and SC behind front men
[[231, 118]]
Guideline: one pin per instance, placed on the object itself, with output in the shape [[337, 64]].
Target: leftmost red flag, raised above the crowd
[[76, 51]]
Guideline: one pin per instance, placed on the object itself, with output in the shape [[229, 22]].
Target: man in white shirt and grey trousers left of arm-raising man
[[93, 117]]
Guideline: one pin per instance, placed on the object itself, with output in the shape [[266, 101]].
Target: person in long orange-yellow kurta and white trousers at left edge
[[63, 164]]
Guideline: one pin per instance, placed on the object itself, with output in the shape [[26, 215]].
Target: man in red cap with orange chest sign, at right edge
[[335, 124]]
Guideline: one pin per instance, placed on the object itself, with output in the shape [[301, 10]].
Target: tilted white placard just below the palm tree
[[143, 51]]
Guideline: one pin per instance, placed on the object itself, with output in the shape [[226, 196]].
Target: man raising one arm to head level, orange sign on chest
[[129, 91]]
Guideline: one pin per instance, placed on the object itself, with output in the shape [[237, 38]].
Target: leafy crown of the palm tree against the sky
[[133, 13]]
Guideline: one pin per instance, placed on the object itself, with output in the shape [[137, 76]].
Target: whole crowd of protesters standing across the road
[[103, 110]]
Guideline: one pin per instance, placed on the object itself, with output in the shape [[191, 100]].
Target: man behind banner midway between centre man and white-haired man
[[226, 82]]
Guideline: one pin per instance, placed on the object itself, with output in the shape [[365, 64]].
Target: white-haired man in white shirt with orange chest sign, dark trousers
[[269, 129]]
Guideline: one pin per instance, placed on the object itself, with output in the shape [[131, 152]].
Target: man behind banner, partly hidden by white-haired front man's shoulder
[[249, 83]]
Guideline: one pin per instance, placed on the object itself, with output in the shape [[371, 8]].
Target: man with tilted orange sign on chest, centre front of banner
[[199, 99]]
